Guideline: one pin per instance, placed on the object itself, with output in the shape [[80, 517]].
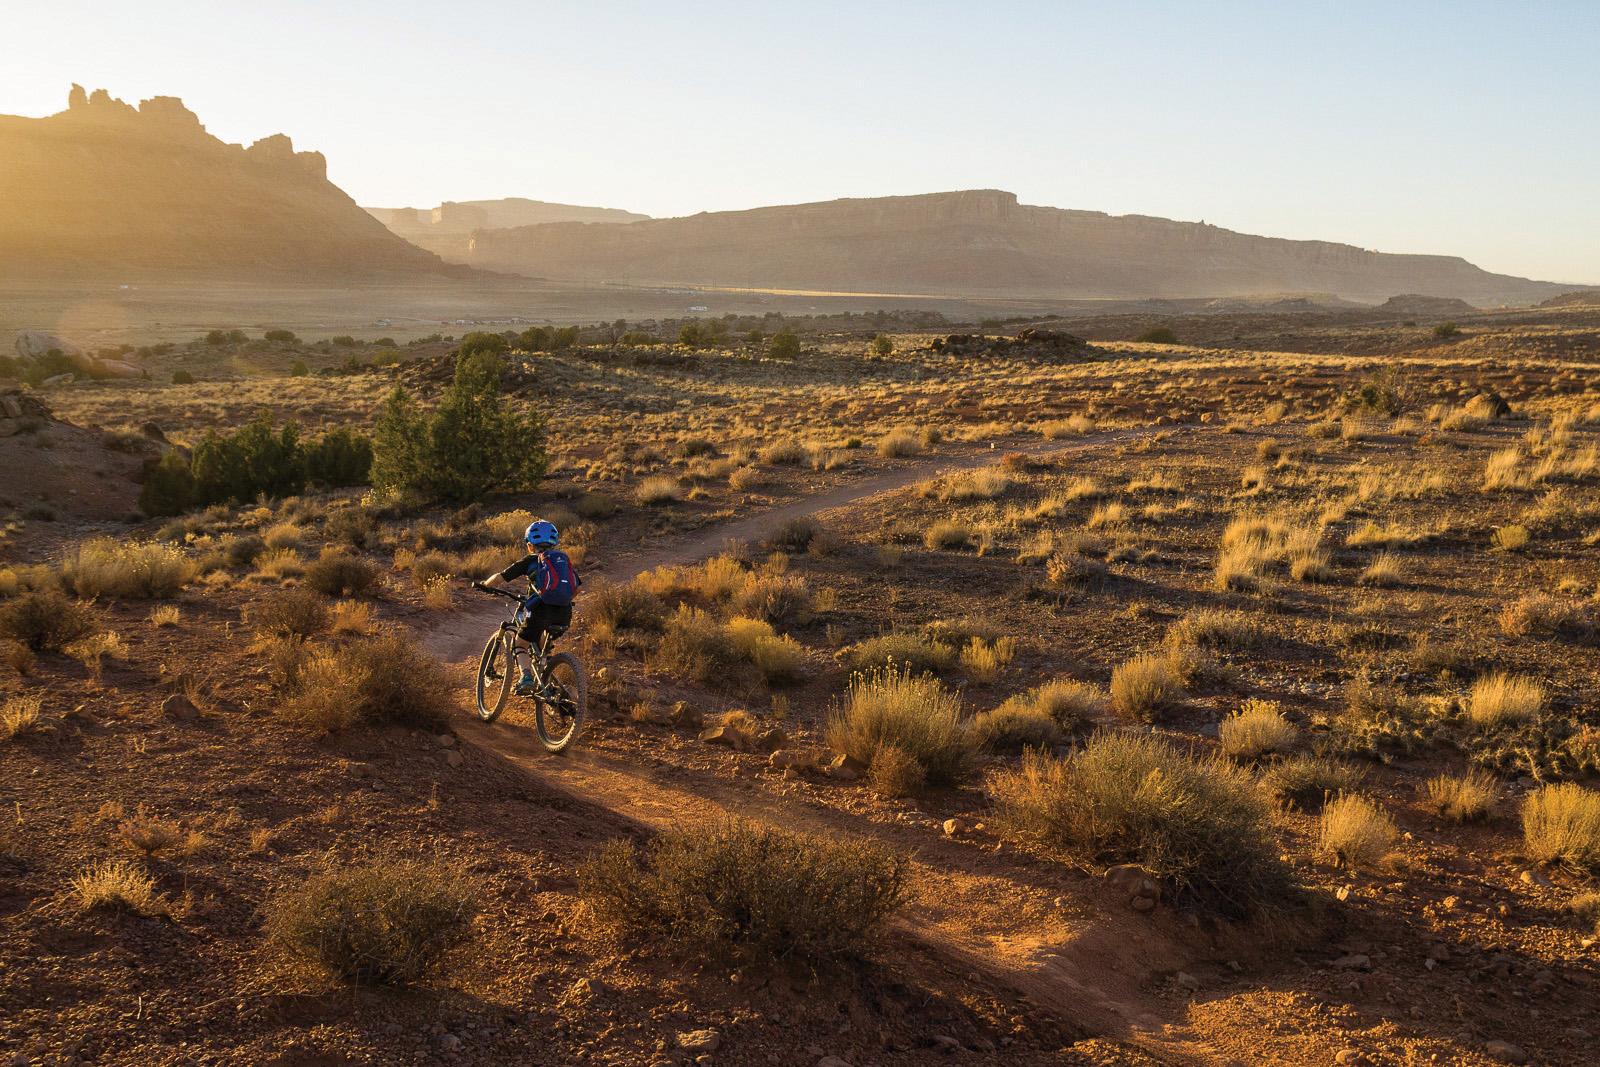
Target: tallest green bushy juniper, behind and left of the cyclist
[[471, 446]]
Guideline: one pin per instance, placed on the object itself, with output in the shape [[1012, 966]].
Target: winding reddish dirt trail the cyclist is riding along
[[1087, 959]]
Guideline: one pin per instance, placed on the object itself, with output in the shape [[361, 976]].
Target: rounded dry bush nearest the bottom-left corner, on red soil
[[388, 921]]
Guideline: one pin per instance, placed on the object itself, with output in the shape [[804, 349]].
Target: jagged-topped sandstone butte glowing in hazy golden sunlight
[[110, 191]]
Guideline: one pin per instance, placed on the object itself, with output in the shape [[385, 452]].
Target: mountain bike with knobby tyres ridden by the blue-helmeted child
[[562, 697]]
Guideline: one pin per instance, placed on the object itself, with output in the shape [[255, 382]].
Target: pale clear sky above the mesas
[[1465, 129]]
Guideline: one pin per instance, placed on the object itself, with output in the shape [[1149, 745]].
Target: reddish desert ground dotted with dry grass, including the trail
[[1215, 701]]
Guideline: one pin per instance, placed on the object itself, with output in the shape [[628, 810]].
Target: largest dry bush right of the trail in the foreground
[[1199, 826]]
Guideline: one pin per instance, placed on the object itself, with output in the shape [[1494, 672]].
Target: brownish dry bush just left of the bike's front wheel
[[385, 679]]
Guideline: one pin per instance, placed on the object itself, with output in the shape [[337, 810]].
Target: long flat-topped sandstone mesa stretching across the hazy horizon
[[978, 244]]
